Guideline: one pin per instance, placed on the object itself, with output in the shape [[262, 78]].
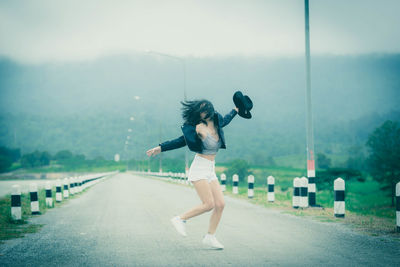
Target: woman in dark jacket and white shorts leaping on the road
[[203, 134]]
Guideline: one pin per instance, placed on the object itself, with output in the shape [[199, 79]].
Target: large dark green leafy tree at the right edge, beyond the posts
[[384, 158]]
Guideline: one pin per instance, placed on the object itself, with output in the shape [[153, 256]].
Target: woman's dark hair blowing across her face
[[191, 111]]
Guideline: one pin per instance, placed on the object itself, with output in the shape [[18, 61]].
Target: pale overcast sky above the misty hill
[[46, 31]]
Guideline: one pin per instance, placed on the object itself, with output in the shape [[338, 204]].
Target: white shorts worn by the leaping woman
[[202, 168]]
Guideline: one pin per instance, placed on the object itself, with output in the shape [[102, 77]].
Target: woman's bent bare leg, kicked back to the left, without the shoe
[[204, 191]]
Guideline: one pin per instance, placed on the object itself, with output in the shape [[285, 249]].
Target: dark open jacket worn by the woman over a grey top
[[192, 140]]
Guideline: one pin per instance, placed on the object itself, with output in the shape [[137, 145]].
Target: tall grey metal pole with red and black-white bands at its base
[[309, 119]]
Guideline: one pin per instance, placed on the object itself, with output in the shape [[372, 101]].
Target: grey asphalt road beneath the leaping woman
[[125, 221]]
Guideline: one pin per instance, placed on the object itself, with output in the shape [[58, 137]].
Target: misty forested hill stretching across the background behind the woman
[[86, 106]]
